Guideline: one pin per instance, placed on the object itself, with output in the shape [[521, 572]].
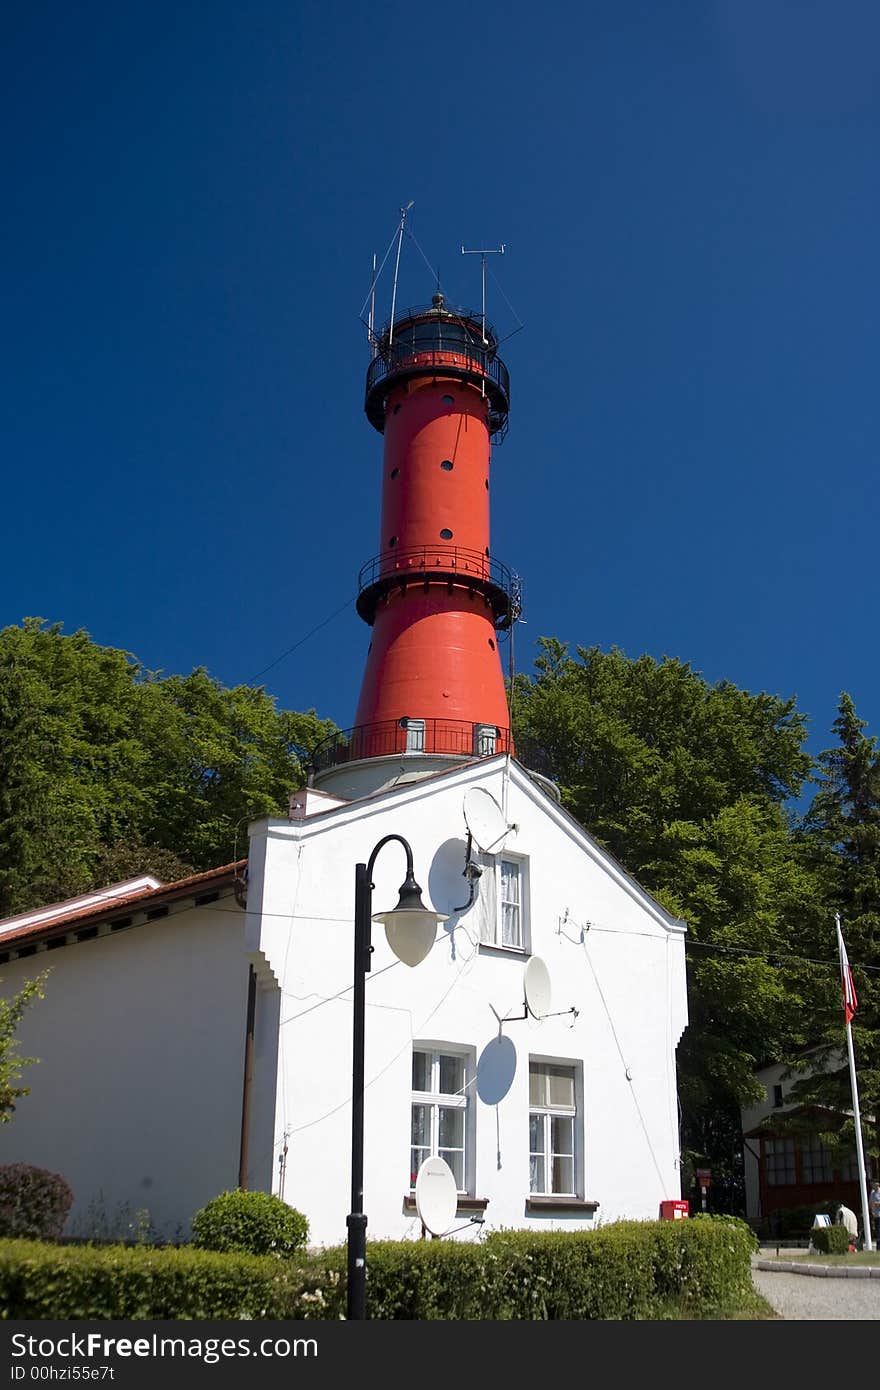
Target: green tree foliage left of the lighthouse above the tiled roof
[[108, 769]]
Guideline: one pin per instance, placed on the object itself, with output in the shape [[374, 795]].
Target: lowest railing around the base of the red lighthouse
[[409, 736]]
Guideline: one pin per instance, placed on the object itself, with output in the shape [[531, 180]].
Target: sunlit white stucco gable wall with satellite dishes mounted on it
[[626, 978]]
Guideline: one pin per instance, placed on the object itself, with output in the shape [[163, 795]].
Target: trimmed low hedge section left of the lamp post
[[115, 1282]]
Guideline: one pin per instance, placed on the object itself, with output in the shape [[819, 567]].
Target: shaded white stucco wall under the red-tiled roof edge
[[137, 1095]]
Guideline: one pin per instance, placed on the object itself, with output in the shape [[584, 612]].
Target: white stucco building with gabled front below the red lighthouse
[[140, 1096]]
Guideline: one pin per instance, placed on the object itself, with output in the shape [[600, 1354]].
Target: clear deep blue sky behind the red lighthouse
[[689, 195]]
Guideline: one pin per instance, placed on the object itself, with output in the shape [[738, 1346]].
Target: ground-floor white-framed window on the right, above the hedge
[[553, 1114]]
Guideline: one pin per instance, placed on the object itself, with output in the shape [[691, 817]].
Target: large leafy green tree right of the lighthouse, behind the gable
[[686, 783]]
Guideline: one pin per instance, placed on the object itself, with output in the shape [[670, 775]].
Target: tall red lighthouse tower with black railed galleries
[[434, 596]]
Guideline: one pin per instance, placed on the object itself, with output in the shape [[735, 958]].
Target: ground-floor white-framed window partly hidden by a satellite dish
[[440, 1113]]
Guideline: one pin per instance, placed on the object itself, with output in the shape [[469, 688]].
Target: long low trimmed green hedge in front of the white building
[[626, 1271]]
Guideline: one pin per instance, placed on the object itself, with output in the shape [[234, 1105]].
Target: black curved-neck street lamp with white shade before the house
[[411, 929]]
